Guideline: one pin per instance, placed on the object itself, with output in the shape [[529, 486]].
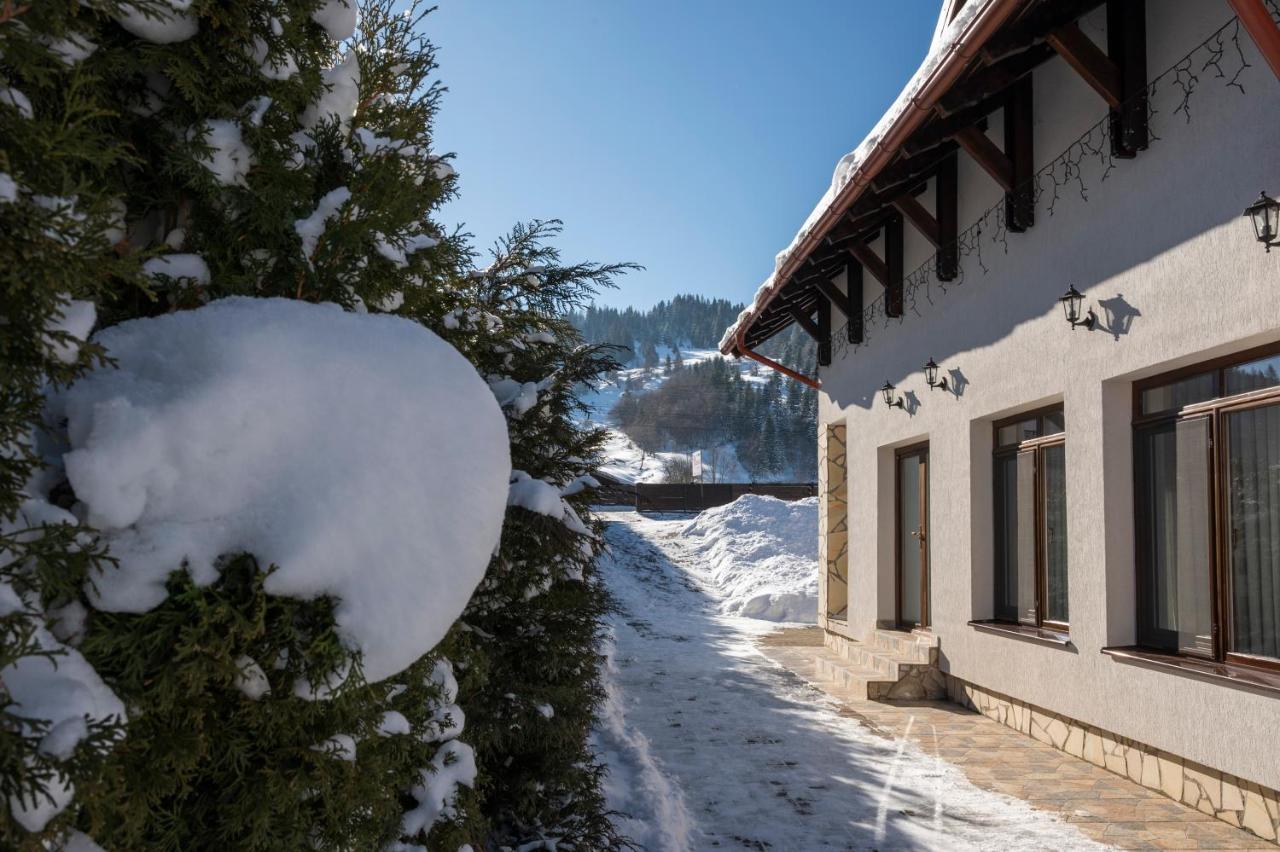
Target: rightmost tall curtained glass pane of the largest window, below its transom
[[1254, 529]]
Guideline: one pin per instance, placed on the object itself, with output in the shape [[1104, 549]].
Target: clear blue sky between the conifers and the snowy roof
[[692, 138]]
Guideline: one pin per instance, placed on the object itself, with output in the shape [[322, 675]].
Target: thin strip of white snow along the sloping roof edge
[[944, 44]]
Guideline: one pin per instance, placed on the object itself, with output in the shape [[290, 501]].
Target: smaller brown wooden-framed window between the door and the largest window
[[1031, 520]]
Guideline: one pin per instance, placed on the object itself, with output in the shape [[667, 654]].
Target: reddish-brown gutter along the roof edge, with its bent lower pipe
[[944, 76]]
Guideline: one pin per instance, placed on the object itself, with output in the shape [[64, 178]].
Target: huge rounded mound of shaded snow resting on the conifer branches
[[360, 454]]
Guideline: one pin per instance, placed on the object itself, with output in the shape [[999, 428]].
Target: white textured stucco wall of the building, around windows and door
[[1163, 236]]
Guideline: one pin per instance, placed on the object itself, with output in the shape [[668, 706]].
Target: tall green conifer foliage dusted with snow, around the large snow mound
[[163, 157]]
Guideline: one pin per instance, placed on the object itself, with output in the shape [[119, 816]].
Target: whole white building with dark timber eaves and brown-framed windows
[[1081, 529]]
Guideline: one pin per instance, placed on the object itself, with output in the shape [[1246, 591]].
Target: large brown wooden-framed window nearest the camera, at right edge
[[1206, 452]]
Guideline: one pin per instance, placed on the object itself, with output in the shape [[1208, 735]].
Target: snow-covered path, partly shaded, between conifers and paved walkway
[[711, 746]]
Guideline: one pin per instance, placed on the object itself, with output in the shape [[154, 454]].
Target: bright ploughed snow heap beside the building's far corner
[[762, 555]]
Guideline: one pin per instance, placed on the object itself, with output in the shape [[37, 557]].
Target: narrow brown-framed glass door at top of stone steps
[[913, 546]]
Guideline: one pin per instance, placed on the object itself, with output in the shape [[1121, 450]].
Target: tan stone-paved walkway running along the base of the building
[[1107, 808]]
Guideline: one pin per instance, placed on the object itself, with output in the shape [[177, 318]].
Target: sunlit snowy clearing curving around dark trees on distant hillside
[[627, 462]]
